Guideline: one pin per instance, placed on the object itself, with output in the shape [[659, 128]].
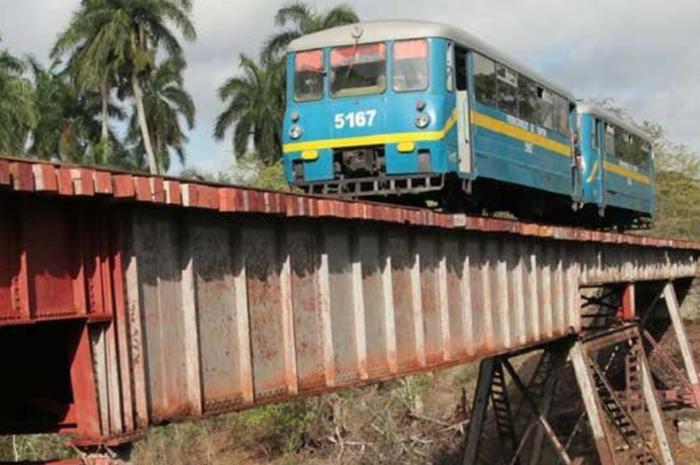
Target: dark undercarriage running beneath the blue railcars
[[361, 173]]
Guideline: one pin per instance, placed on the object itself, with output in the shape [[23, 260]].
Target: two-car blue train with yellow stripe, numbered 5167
[[422, 113]]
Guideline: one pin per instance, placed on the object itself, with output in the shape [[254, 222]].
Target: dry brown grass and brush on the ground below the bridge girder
[[417, 420]]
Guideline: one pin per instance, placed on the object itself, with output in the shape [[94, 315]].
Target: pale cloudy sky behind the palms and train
[[643, 53]]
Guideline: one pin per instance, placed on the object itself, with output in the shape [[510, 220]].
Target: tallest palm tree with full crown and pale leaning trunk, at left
[[124, 37]]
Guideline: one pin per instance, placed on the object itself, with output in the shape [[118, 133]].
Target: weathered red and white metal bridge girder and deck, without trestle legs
[[201, 299]]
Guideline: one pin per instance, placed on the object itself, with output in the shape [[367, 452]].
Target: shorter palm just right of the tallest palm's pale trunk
[[166, 103]]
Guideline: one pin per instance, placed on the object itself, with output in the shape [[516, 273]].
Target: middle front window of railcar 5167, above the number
[[358, 70]]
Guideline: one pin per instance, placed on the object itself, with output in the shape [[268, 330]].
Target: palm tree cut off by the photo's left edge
[[17, 115]]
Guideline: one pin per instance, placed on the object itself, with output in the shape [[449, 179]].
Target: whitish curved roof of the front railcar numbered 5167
[[379, 31]]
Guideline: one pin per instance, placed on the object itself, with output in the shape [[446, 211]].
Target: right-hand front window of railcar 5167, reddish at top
[[410, 65]]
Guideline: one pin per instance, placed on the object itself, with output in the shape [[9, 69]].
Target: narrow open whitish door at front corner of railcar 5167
[[463, 107]]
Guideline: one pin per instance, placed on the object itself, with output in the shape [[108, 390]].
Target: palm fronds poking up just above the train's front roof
[[304, 19]]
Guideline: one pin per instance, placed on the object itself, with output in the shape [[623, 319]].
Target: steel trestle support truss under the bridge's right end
[[616, 370]]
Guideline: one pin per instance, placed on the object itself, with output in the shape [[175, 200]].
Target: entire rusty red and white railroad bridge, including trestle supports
[[128, 301]]
